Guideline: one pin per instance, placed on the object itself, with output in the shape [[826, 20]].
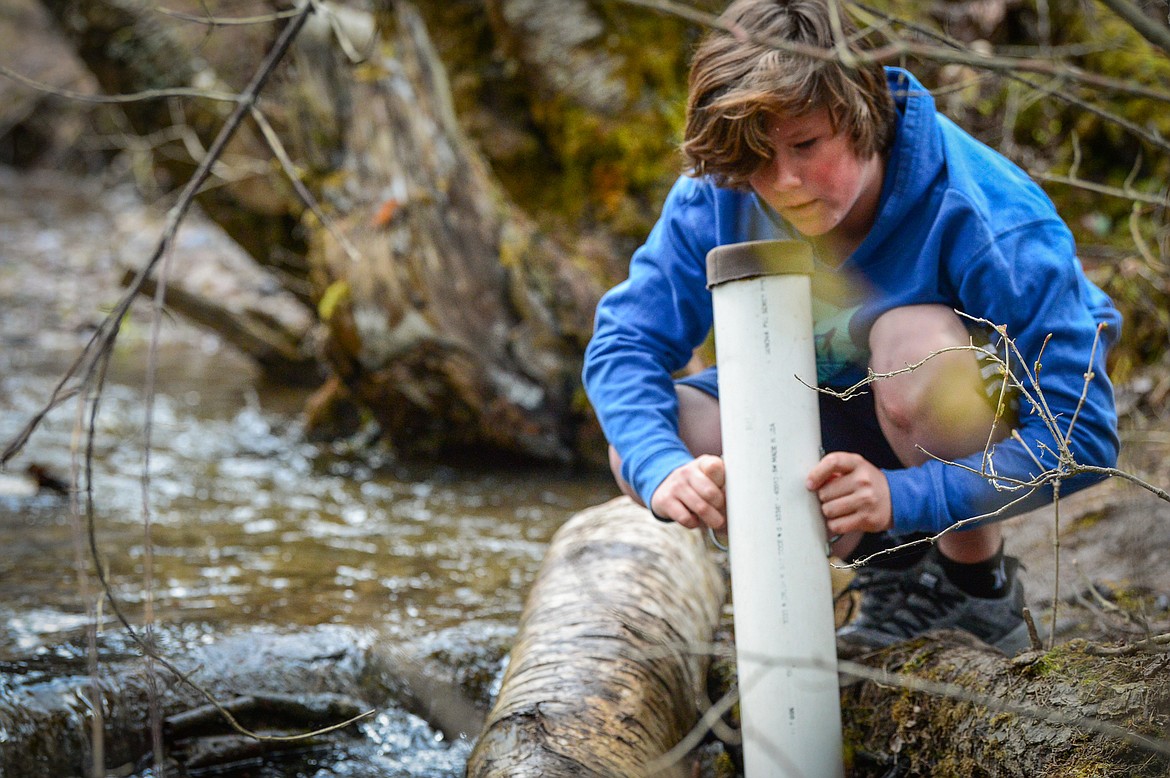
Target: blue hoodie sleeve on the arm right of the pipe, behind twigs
[[1030, 281]]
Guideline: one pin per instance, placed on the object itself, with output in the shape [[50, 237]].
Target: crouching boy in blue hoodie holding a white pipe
[[911, 221]]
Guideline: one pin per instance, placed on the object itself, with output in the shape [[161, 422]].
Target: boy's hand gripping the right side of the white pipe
[[855, 495]]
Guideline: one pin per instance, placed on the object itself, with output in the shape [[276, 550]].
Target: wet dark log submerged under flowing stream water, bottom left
[[276, 685]]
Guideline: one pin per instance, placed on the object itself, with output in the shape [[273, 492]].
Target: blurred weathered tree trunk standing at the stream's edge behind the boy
[[452, 320]]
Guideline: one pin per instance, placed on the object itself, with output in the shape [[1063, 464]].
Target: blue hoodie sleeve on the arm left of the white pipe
[[646, 329]]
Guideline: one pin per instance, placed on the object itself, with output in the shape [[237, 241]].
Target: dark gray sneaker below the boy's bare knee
[[927, 601]]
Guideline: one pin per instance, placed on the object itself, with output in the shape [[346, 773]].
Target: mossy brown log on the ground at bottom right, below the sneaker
[[945, 706]]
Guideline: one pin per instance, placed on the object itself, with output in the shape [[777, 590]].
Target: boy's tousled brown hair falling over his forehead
[[745, 75]]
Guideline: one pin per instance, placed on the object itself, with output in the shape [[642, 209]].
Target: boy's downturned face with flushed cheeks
[[817, 183]]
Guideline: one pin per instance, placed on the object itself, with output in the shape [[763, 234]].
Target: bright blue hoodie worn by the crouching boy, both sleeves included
[[958, 225]]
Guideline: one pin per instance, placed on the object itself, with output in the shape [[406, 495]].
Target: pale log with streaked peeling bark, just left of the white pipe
[[610, 660]]
